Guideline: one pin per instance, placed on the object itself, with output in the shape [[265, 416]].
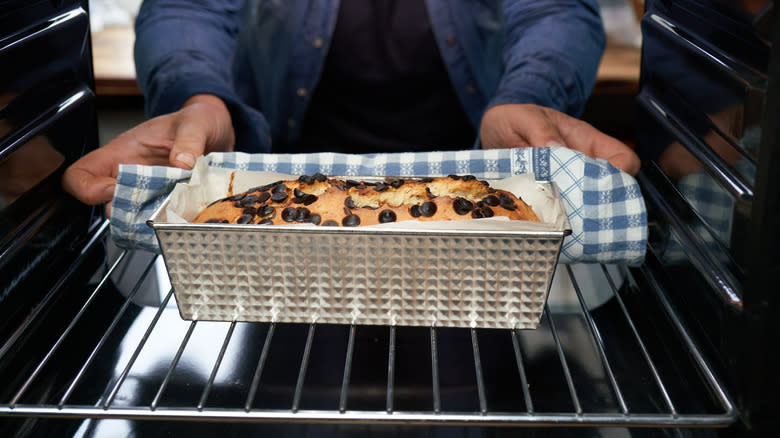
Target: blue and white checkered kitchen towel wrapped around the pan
[[605, 206]]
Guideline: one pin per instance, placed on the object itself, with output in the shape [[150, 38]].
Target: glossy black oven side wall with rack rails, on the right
[[707, 135]]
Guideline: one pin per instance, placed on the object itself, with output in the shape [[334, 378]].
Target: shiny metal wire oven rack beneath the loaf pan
[[582, 367]]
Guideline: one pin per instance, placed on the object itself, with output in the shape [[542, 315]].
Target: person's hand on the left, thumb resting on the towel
[[202, 125]]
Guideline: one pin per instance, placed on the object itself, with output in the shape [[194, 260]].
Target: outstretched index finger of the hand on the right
[[583, 137]]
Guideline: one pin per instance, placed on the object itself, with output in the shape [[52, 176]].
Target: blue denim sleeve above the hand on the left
[[186, 47]]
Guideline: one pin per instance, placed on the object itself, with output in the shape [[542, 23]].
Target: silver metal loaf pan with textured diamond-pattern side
[[448, 278]]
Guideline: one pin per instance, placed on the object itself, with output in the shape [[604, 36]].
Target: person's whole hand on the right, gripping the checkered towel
[[524, 125]]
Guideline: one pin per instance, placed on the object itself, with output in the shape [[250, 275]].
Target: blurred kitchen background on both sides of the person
[[120, 104]]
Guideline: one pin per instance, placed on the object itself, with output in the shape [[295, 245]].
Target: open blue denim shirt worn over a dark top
[[264, 57]]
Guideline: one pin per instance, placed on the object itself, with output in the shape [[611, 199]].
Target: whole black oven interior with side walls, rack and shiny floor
[[91, 342]]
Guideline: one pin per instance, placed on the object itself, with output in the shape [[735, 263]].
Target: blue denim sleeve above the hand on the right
[[551, 54]]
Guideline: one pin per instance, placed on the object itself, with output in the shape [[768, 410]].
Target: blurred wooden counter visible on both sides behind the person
[[112, 51]]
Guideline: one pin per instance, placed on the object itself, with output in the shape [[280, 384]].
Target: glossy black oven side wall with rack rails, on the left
[[47, 121]]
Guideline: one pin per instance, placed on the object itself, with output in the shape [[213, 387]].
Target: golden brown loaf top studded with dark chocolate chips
[[322, 201]]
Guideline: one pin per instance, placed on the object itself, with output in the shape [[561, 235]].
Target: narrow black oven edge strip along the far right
[[760, 356]]
